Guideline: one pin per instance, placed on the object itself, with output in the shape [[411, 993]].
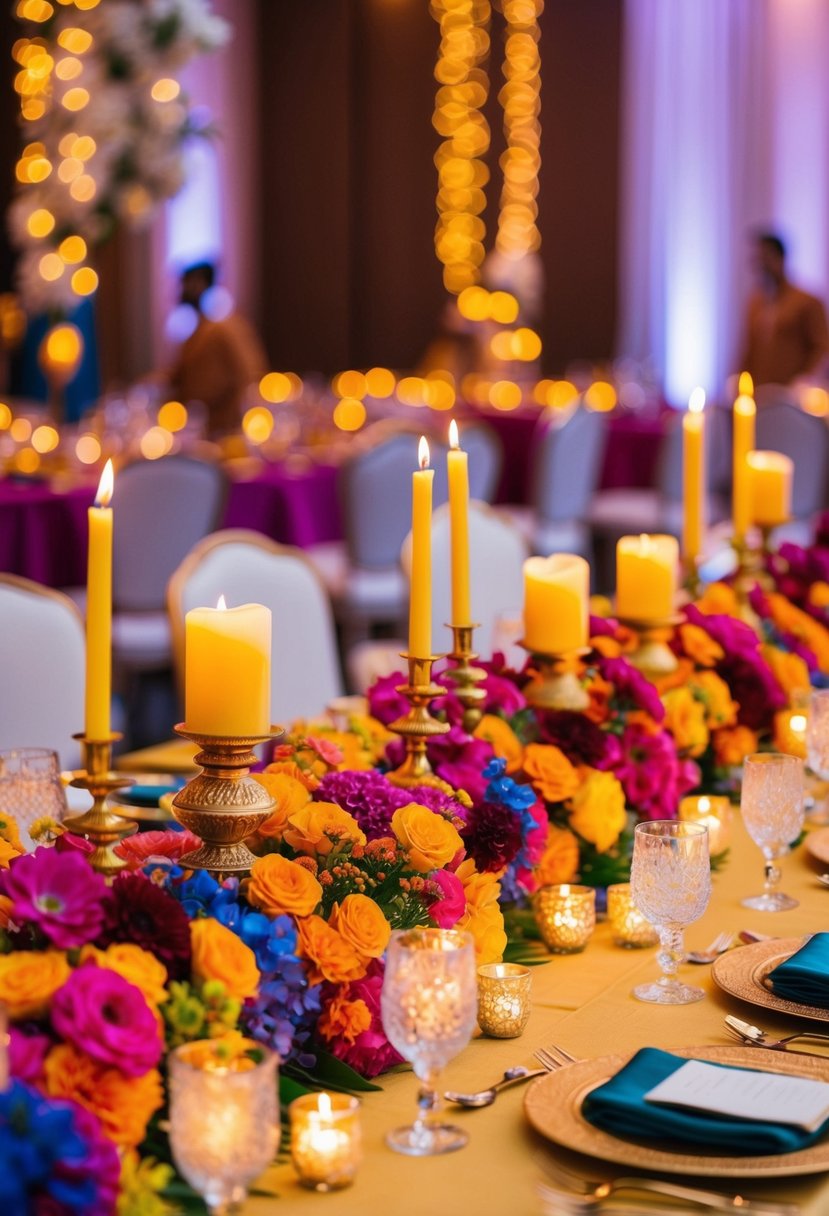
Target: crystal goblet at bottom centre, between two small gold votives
[[428, 1005]]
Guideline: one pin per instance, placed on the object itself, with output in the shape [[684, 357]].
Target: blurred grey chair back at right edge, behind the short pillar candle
[[805, 440]]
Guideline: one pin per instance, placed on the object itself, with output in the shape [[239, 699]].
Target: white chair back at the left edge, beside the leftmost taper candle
[[43, 660]]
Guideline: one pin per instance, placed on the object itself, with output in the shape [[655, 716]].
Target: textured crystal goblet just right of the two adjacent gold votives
[[672, 887]]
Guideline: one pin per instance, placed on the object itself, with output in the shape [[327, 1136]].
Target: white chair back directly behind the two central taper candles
[[498, 553]]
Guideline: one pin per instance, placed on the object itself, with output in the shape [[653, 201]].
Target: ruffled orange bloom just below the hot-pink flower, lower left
[[125, 1105]]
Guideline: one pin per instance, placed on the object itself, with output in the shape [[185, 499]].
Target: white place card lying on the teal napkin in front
[[741, 1094]]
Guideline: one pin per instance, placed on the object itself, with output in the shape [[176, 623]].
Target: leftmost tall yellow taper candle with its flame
[[99, 611]]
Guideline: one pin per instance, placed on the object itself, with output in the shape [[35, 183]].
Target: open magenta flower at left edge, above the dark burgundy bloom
[[59, 893]]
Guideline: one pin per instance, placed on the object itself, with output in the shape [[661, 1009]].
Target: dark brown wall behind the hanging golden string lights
[[351, 278]]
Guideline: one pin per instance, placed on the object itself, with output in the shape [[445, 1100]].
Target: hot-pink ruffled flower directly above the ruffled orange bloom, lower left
[[108, 1018]]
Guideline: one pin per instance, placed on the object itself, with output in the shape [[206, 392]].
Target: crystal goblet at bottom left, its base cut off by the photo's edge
[[224, 1123]]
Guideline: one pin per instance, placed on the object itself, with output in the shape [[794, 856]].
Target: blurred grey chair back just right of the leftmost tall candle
[[162, 509]]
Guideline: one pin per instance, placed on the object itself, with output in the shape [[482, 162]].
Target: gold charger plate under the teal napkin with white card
[[554, 1107]]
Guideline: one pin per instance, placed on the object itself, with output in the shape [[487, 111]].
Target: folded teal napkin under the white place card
[[619, 1107]]
